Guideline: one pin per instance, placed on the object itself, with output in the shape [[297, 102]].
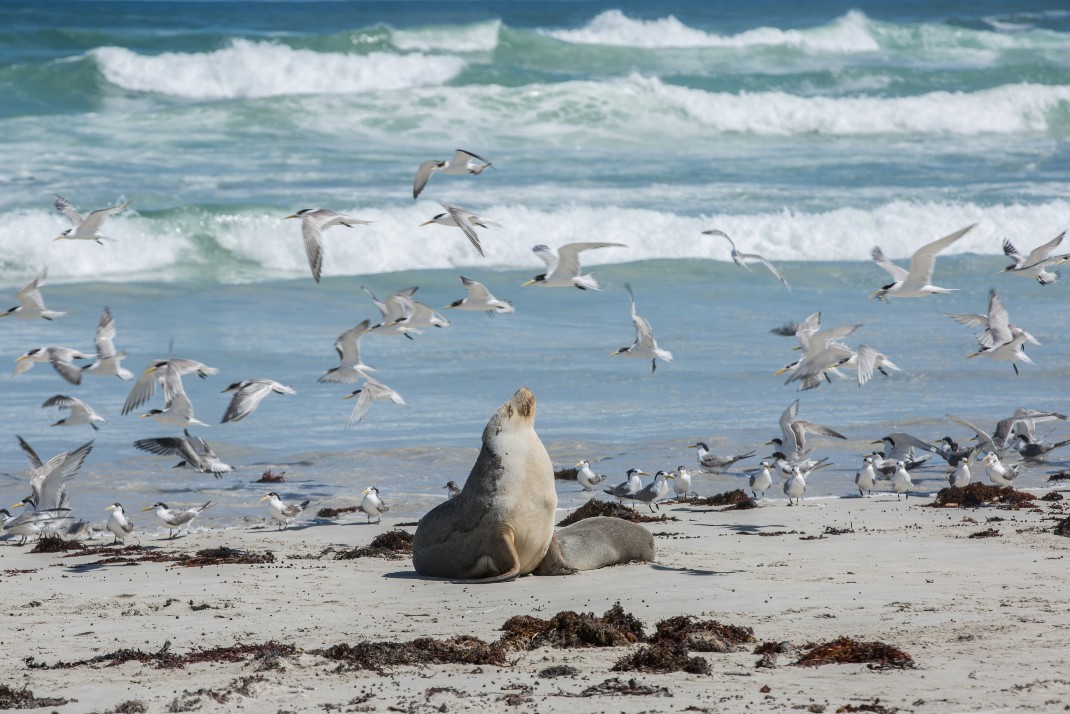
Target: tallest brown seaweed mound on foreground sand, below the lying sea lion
[[573, 630]]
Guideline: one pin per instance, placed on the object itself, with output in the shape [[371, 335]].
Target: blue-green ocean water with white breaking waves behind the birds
[[808, 132]]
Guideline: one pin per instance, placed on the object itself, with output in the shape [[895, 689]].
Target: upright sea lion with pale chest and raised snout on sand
[[501, 525]]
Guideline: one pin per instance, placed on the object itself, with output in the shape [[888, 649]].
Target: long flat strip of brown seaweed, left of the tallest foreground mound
[[379, 657]]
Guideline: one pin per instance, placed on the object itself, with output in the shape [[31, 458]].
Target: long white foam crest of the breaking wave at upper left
[[263, 69]]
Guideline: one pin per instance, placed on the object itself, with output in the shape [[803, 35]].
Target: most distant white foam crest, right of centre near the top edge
[[850, 34]]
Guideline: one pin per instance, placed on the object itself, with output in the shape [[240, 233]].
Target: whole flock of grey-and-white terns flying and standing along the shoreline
[[824, 355]]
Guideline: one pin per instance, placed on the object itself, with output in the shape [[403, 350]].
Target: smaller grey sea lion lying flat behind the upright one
[[595, 543]]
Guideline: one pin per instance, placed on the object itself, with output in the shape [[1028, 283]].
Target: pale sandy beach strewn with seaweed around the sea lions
[[984, 619]]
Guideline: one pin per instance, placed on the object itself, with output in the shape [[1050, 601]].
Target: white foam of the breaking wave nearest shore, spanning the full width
[[261, 246]]
